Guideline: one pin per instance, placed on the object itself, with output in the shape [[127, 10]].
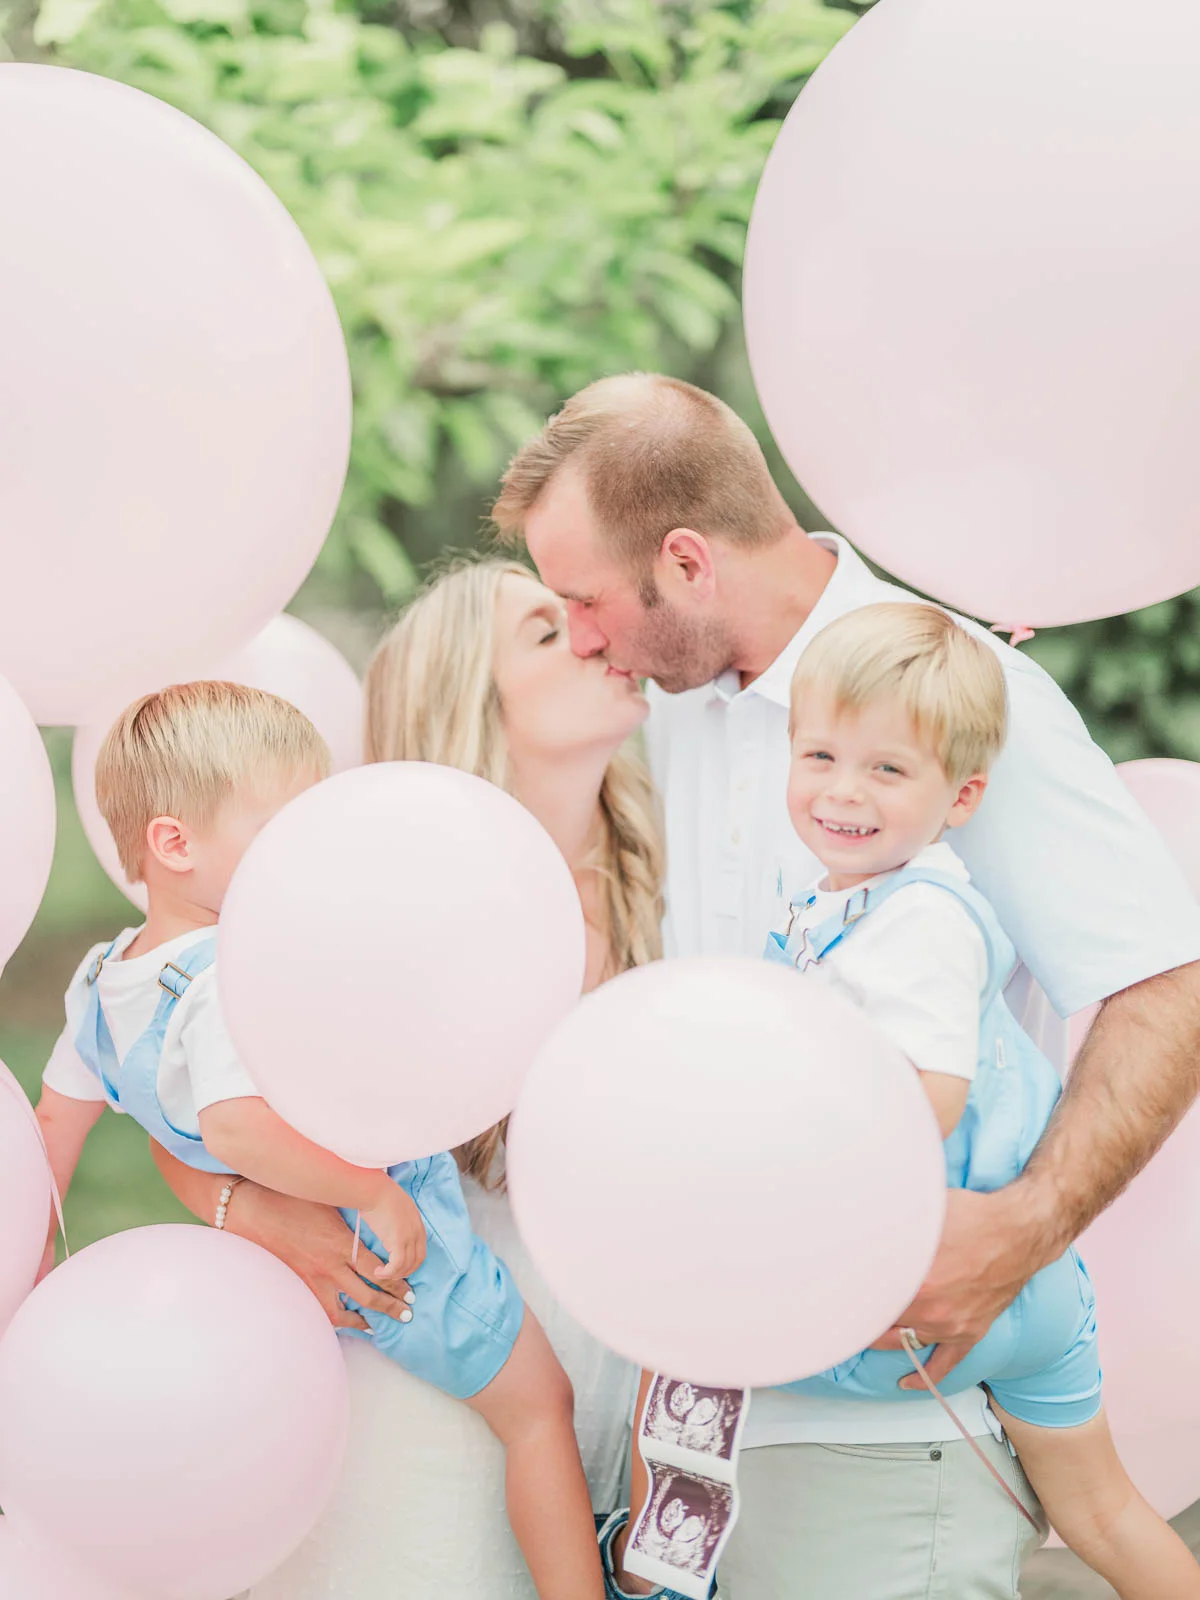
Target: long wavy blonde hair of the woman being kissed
[[431, 697]]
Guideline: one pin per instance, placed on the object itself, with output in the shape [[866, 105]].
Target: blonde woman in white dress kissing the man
[[479, 674]]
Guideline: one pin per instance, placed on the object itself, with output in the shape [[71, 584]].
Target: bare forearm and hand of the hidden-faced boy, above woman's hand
[[254, 1140]]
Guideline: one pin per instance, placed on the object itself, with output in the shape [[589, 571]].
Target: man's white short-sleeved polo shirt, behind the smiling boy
[[1079, 878]]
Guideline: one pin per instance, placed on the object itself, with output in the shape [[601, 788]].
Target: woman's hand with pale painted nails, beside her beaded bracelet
[[316, 1244]]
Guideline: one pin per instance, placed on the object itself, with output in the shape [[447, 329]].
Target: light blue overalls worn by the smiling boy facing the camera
[[1039, 1358]]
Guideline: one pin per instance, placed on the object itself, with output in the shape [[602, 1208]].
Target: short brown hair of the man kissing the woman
[[655, 455]]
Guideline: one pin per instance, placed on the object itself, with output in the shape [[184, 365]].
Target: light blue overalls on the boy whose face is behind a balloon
[[468, 1313]]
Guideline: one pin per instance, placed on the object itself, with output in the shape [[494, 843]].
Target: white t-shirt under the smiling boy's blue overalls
[[918, 967]]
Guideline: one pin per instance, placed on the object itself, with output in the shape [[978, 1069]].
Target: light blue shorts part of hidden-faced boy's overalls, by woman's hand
[[468, 1311]]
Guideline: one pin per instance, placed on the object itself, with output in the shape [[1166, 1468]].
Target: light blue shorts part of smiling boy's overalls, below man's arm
[[1039, 1358]]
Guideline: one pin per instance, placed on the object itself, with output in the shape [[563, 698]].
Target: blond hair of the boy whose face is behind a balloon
[[186, 750]]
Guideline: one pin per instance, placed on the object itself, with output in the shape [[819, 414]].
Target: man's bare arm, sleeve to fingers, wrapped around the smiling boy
[[1134, 1081]]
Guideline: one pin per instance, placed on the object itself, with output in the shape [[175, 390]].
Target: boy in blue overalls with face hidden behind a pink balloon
[[186, 780]]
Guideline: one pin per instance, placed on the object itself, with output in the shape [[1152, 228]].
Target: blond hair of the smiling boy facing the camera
[[948, 682]]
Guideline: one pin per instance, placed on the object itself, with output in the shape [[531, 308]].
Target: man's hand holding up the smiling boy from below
[[993, 1246]]
